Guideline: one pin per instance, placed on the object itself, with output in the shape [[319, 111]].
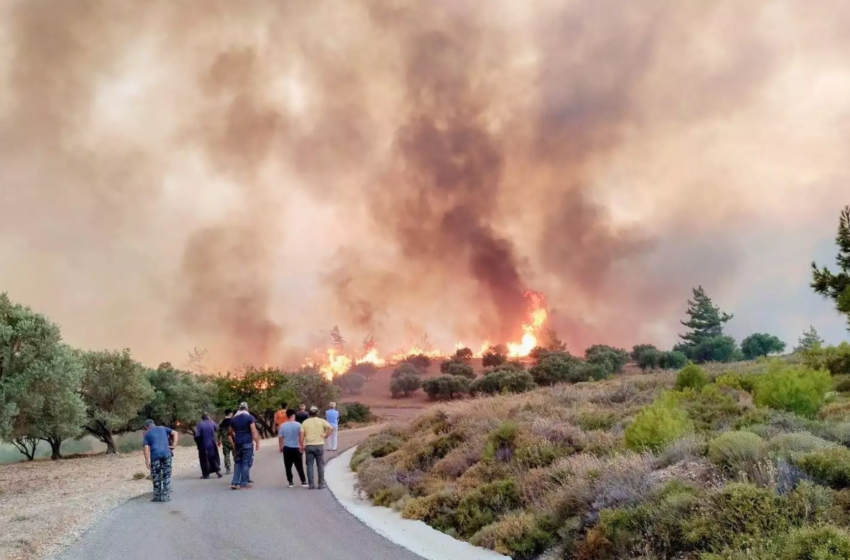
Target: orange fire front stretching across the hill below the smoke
[[337, 359]]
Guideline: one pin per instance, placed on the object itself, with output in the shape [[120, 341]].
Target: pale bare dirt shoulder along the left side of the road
[[45, 505]]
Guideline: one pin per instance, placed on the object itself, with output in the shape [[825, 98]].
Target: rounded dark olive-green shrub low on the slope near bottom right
[[736, 516]]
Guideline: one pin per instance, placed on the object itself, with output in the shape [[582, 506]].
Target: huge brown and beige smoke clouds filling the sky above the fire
[[242, 177]]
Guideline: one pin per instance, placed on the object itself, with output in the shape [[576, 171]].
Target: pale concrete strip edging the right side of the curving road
[[413, 535]]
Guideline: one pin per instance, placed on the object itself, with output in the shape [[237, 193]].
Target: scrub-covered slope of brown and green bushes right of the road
[[734, 461]]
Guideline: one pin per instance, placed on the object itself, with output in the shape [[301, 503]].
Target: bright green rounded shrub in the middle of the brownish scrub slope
[[657, 425]]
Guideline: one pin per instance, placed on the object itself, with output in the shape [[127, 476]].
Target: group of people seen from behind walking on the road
[[302, 433]]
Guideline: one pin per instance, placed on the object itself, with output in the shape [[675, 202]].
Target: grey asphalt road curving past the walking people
[[205, 520]]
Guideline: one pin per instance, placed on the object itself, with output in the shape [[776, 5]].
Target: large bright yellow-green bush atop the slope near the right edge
[[796, 389]]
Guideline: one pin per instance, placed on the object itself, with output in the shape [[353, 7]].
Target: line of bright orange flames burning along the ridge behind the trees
[[336, 362]]
